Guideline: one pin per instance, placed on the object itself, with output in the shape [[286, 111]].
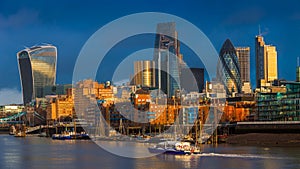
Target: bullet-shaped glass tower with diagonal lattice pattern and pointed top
[[228, 70]]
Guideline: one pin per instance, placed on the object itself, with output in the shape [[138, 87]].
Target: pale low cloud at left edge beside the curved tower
[[10, 96]]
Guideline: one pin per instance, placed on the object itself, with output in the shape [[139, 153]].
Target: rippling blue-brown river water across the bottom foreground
[[36, 152]]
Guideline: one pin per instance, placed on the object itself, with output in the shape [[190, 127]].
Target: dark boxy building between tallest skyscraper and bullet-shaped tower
[[192, 79]]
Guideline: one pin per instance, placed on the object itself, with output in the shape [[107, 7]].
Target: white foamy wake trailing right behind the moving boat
[[238, 156]]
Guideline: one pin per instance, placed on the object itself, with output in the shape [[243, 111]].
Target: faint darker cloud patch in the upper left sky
[[19, 19]]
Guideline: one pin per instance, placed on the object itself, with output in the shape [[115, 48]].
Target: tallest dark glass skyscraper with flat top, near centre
[[167, 59]]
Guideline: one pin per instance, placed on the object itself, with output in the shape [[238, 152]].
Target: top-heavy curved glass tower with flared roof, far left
[[37, 67]]
